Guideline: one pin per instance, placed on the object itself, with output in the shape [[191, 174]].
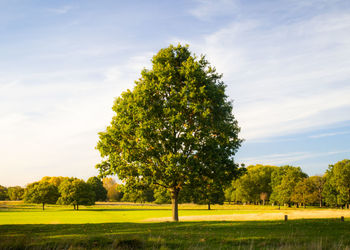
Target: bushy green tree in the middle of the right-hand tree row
[[283, 182]]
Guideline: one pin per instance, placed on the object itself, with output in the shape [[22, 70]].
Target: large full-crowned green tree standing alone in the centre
[[173, 127]]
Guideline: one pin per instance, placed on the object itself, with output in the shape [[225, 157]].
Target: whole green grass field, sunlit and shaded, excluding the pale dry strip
[[124, 227]]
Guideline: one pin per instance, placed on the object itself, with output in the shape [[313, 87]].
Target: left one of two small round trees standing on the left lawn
[[41, 192]]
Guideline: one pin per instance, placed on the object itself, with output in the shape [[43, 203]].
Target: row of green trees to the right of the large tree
[[288, 185]]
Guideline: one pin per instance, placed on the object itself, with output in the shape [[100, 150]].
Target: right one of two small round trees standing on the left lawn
[[76, 192]]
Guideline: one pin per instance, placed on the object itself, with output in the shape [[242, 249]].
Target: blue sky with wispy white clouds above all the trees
[[286, 65]]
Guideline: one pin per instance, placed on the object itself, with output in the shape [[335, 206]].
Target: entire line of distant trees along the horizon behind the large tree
[[258, 184]]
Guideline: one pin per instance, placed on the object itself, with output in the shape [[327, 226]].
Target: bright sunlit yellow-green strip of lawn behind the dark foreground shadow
[[19, 213]]
